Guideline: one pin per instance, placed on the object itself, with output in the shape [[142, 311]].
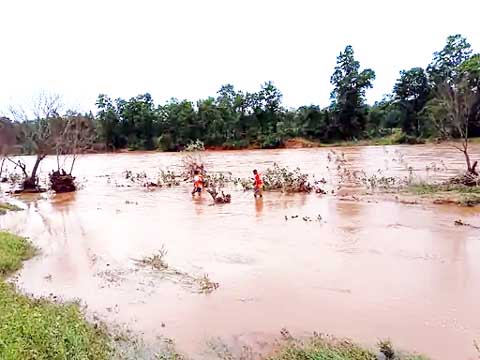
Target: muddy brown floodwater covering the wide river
[[369, 270]]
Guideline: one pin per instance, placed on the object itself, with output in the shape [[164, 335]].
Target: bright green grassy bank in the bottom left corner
[[37, 328]]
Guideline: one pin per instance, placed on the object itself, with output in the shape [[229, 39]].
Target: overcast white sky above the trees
[[189, 48]]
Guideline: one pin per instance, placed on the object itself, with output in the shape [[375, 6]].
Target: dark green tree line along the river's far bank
[[421, 105]]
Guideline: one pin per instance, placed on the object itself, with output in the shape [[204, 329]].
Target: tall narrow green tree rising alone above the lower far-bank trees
[[348, 94]]
